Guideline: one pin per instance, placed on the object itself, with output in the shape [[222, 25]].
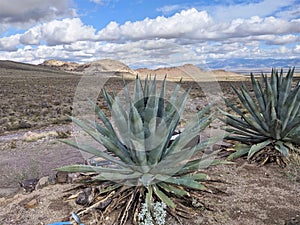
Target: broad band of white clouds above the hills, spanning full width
[[189, 36]]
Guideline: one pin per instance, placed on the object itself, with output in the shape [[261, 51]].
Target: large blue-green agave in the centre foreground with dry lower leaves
[[146, 165]]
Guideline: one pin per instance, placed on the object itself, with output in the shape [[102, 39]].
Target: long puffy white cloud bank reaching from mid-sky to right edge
[[193, 25]]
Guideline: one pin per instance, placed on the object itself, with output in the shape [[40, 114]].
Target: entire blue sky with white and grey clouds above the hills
[[155, 33]]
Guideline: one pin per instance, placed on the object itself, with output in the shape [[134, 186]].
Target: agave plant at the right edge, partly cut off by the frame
[[269, 119]]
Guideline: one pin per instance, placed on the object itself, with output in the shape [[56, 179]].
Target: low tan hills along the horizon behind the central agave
[[115, 68]]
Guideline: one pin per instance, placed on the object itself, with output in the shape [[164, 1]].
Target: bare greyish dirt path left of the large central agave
[[21, 160]]
